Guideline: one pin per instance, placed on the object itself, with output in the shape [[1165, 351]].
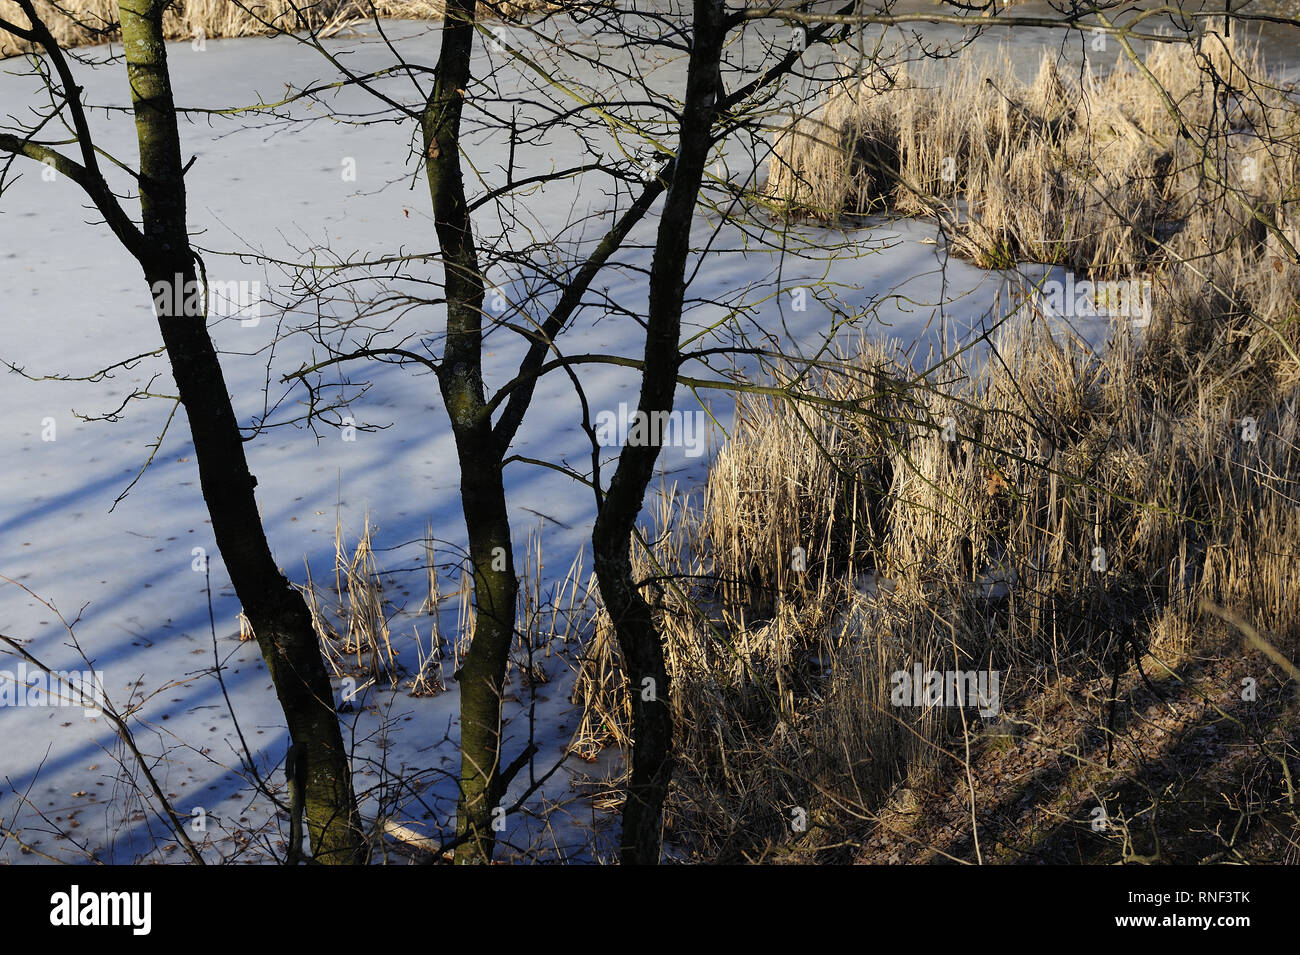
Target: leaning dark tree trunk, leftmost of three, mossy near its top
[[278, 613]]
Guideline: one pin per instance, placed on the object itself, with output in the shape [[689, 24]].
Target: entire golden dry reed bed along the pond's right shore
[[982, 553]]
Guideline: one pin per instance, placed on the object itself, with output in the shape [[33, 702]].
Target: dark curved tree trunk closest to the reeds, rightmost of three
[[634, 622]]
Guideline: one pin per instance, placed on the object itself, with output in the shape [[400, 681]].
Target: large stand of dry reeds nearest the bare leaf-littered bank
[[1046, 511]]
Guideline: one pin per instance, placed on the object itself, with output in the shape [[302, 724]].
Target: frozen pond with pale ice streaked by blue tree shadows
[[275, 189]]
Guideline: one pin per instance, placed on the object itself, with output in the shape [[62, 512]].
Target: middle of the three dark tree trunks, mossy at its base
[[483, 492]]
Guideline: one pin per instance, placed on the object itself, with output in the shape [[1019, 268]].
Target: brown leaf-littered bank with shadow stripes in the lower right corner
[[1178, 770]]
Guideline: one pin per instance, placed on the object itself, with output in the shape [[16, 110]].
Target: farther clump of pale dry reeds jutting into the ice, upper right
[[1097, 173]]
